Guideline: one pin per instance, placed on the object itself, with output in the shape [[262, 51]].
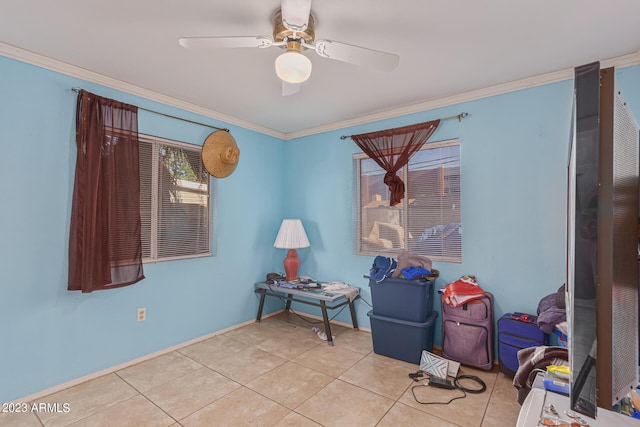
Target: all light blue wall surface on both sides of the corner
[[513, 164]]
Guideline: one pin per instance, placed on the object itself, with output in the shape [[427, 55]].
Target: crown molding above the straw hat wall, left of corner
[[71, 70]]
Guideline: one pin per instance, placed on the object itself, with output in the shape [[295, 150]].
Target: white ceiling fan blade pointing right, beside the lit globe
[[376, 59]]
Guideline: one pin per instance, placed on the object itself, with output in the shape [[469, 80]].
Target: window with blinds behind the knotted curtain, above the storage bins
[[428, 221]]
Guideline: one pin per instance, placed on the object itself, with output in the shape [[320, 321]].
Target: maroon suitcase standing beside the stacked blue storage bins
[[467, 332]]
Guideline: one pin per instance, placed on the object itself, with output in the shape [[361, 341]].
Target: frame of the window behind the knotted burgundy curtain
[[403, 207]]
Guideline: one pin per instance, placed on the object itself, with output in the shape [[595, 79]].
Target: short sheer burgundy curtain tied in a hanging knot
[[392, 149]]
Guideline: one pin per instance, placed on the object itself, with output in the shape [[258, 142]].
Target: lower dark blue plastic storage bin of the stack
[[401, 339]]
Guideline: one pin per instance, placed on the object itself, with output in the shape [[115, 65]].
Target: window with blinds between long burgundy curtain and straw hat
[[174, 200]]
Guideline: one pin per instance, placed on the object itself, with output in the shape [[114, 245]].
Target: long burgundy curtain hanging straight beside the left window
[[105, 249]]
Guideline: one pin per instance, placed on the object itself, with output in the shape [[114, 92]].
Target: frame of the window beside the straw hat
[[156, 142]]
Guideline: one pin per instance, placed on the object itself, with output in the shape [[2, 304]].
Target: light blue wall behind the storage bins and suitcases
[[513, 169]]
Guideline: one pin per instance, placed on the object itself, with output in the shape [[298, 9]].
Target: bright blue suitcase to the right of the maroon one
[[515, 332]]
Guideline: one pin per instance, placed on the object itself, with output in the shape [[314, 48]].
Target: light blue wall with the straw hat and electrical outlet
[[51, 335]]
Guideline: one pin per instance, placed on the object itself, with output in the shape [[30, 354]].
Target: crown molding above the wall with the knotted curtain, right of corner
[[529, 82]]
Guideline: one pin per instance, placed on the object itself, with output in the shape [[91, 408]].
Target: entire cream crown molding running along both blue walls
[[81, 73]]
